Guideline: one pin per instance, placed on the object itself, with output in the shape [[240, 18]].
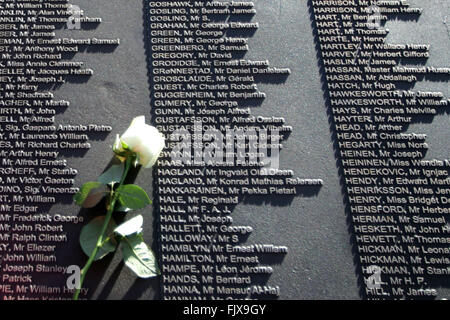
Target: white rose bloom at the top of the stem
[[144, 140]]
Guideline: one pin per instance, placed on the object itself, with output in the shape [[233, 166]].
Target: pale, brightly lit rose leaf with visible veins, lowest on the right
[[138, 257]]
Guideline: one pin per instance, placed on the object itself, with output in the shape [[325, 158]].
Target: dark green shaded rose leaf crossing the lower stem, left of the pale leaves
[[90, 234]]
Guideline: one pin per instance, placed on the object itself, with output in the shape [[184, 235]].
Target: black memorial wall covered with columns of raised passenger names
[[306, 146]]
